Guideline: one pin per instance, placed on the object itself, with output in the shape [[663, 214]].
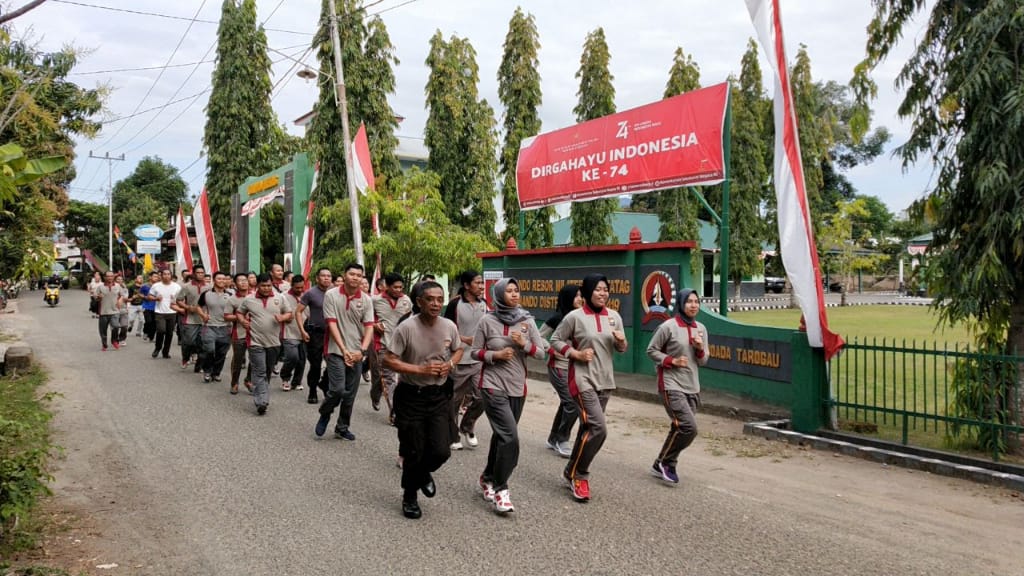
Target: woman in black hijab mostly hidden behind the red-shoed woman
[[559, 368]]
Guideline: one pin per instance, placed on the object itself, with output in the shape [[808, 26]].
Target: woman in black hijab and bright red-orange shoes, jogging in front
[[588, 337]]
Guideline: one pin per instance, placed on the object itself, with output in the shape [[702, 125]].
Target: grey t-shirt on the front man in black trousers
[[416, 343]]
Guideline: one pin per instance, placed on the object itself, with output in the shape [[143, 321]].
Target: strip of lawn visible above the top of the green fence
[[900, 323]]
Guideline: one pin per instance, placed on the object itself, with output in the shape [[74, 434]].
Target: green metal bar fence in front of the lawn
[[927, 396]]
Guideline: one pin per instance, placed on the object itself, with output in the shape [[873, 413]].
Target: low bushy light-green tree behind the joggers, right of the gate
[[420, 238]]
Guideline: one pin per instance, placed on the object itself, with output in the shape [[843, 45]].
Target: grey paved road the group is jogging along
[[179, 477]]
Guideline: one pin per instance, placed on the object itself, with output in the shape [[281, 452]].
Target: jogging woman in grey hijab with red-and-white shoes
[[503, 341]]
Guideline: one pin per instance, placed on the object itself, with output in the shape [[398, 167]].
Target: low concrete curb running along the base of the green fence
[[776, 430]]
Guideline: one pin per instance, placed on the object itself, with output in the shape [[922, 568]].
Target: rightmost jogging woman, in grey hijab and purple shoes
[[677, 350]]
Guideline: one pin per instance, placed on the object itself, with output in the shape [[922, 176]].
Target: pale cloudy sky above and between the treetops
[[167, 105]]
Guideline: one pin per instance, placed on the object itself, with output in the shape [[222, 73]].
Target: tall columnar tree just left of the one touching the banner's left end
[[461, 136]]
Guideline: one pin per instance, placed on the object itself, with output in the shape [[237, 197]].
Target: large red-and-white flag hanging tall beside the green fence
[[795, 233]]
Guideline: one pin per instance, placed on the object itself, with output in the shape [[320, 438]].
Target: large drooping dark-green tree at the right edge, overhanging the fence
[[963, 95]]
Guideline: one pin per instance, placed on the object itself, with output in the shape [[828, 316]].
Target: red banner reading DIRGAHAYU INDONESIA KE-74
[[668, 144]]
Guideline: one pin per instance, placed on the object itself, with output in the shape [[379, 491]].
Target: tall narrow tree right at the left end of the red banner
[[520, 91]]
